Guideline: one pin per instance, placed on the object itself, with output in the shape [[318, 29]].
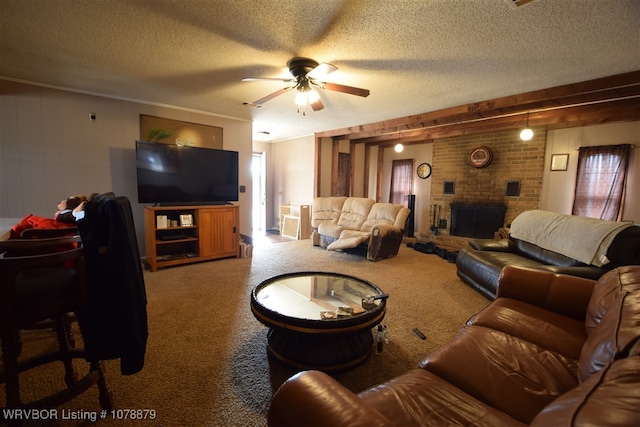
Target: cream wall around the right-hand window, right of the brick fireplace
[[558, 186]]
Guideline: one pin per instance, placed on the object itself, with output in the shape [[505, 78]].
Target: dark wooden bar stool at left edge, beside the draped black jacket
[[37, 288]]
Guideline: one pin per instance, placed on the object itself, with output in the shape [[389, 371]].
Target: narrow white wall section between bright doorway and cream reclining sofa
[[293, 173]]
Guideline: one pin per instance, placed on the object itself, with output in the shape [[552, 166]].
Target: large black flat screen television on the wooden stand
[[181, 175]]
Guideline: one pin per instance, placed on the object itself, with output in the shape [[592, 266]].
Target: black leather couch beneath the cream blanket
[[479, 265]]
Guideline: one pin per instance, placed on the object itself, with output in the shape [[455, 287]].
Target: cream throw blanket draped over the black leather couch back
[[584, 239]]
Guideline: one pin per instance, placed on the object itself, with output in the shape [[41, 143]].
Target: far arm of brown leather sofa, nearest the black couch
[[563, 294]]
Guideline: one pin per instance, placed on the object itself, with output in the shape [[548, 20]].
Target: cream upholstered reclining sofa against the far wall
[[358, 223]]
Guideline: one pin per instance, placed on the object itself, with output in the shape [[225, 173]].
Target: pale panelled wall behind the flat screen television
[[49, 149]]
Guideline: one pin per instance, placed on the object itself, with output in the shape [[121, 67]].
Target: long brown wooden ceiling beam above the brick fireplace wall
[[544, 107]]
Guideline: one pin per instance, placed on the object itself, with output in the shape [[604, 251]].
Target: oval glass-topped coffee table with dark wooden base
[[317, 320]]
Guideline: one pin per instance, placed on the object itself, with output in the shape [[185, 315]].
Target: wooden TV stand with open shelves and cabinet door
[[213, 234]]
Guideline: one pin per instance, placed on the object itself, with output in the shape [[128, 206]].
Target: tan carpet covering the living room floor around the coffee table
[[207, 363]]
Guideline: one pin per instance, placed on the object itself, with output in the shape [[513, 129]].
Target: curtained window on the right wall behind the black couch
[[600, 184]]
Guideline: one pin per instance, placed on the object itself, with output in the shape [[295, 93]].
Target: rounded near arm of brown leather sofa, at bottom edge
[[314, 399]]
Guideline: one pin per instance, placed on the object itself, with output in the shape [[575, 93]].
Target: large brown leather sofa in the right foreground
[[551, 350]]
